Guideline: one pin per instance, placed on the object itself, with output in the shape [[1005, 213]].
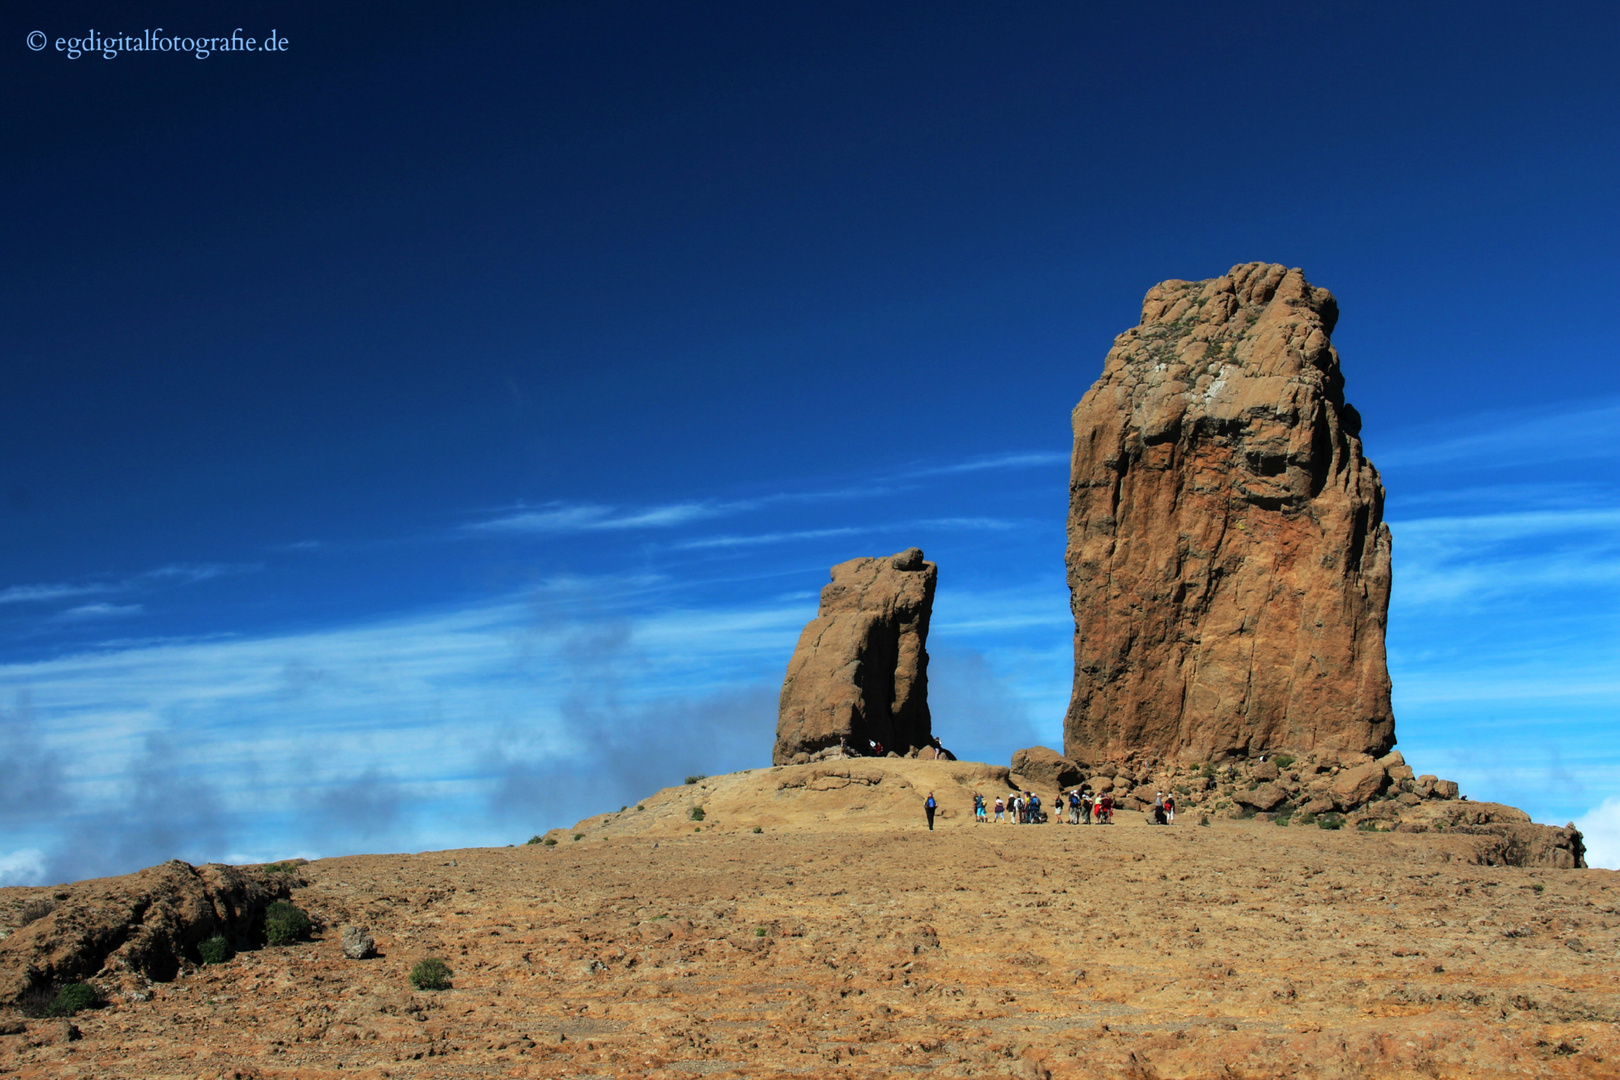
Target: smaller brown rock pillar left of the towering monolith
[[861, 670]]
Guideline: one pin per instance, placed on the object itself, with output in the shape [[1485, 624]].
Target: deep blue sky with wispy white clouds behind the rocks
[[440, 432]]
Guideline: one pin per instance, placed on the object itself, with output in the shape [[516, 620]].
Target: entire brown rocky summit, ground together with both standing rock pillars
[[1316, 909]]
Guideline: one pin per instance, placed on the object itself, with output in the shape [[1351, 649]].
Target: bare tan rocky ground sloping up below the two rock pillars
[[843, 938]]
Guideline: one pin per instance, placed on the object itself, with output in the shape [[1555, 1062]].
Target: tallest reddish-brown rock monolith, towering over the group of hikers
[[1229, 563]]
